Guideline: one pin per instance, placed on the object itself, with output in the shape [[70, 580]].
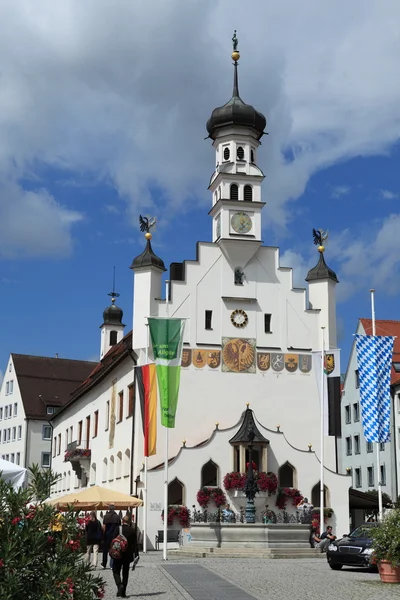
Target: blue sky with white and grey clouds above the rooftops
[[102, 117]]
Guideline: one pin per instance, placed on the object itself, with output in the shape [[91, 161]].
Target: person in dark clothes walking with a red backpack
[[124, 550]]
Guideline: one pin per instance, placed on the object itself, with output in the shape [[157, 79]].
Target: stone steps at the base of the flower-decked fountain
[[237, 552]]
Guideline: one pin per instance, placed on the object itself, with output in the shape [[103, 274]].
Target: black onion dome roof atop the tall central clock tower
[[236, 112]]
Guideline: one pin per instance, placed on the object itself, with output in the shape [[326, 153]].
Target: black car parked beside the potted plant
[[353, 550]]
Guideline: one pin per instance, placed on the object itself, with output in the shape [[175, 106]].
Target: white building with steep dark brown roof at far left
[[33, 389]]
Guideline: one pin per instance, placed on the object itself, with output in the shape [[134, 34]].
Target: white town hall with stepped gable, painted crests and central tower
[[248, 339]]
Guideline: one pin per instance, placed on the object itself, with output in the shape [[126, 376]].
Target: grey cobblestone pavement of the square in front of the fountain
[[264, 579]]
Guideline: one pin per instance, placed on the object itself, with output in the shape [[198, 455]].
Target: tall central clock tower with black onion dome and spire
[[236, 129]]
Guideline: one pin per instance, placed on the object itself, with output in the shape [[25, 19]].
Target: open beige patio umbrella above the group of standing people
[[96, 498]]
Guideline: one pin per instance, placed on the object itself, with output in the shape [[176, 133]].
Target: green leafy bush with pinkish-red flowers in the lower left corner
[[40, 549]]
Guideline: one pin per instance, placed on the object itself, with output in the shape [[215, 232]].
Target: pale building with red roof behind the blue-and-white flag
[[357, 455]]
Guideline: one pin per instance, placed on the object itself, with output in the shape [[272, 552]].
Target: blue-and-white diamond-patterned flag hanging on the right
[[374, 356]]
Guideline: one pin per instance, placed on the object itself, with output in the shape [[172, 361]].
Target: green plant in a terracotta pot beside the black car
[[386, 546]]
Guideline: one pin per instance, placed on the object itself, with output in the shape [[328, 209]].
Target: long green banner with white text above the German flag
[[167, 339]]
